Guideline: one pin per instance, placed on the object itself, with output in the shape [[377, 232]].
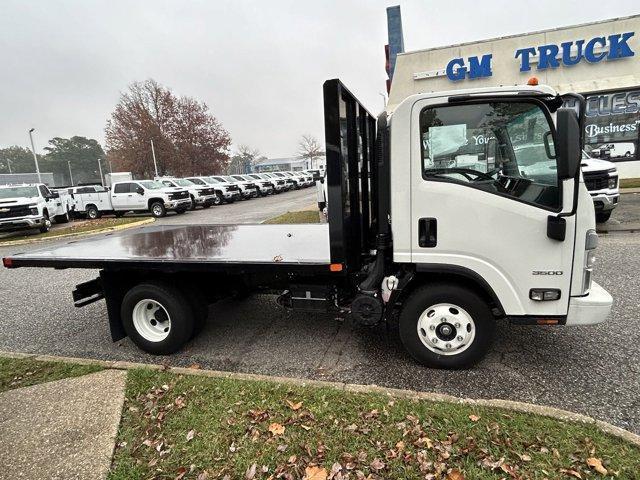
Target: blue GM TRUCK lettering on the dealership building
[[595, 50]]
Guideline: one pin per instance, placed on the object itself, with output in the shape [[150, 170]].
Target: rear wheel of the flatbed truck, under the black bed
[[162, 336]]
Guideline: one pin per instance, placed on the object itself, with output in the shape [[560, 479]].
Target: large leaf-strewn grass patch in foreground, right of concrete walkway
[[204, 428]]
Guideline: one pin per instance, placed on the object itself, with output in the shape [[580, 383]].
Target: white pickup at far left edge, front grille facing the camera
[[30, 206]]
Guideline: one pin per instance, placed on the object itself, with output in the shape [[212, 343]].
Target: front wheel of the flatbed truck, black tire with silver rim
[[421, 318]]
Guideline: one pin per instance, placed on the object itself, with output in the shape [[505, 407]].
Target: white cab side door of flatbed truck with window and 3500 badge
[[483, 184]]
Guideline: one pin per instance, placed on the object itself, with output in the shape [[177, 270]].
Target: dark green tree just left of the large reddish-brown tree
[[81, 154]]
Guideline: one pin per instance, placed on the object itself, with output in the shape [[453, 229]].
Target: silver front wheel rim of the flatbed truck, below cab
[[446, 329]]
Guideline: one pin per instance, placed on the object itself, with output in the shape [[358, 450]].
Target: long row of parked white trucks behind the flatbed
[[36, 206]]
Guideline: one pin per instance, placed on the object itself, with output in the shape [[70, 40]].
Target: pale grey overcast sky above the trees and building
[[259, 65]]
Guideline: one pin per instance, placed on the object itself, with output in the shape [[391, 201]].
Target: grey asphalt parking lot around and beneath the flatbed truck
[[591, 370]]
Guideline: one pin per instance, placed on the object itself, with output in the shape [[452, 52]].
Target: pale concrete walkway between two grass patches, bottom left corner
[[61, 430]]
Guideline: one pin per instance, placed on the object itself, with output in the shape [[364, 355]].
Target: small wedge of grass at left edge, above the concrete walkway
[[21, 372]]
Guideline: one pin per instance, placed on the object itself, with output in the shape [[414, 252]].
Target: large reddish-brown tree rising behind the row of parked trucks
[[187, 137]]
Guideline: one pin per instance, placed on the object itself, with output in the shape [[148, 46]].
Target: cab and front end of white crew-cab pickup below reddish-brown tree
[[148, 196]]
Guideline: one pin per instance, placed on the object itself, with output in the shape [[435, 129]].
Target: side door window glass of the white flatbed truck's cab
[[502, 147]]
